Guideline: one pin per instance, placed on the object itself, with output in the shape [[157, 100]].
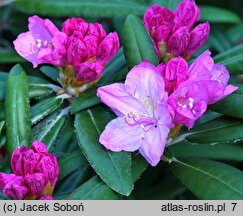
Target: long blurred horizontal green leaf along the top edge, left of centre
[[84, 8]]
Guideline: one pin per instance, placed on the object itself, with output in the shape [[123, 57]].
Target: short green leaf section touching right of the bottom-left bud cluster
[[71, 162]]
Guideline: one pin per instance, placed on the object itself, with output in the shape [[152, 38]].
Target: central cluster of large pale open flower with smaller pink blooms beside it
[[154, 100]]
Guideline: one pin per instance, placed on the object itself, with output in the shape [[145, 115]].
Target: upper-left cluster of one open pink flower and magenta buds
[[84, 46]]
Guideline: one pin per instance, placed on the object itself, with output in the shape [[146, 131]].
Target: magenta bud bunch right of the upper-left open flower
[[89, 49]]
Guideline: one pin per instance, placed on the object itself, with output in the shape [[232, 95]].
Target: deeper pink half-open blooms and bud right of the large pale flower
[[192, 89]]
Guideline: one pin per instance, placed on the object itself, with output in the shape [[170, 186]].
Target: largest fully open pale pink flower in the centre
[[143, 121]]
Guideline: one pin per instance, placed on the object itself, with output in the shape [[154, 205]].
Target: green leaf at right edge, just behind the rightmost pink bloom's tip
[[232, 59]]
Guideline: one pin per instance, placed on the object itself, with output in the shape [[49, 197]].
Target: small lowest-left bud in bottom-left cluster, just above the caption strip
[[16, 189]]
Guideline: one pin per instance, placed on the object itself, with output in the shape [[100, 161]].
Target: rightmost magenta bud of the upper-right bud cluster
[[198, 37]]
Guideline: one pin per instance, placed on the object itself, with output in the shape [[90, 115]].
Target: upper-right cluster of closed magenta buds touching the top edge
[[172, 33]]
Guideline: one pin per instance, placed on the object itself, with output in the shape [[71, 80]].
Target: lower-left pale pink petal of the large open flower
[[119, 136]]
